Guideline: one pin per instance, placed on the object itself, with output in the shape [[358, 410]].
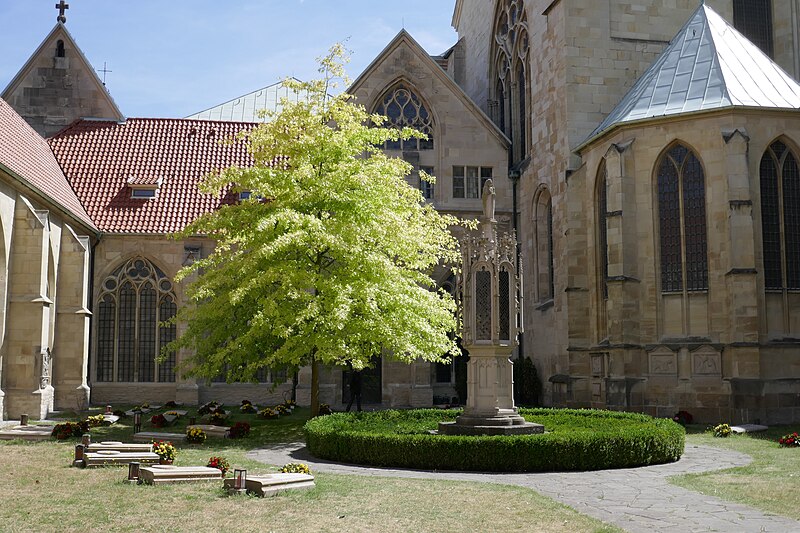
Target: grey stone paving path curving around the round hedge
[[635, 499]]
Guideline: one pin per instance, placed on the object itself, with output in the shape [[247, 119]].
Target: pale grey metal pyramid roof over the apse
[[708, 65]]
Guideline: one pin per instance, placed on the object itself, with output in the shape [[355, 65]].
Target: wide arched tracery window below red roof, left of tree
[[134, 302]]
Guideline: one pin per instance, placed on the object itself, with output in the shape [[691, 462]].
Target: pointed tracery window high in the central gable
[[404, 108]]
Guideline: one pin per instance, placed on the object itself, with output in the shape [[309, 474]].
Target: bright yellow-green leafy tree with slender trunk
[[329, 261]]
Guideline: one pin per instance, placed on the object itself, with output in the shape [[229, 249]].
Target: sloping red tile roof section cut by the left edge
[[26, 154]]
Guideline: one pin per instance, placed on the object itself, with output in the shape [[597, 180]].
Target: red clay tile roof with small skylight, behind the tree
[[101, 158]]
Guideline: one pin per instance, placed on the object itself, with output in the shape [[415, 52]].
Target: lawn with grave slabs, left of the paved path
[[41, 492]]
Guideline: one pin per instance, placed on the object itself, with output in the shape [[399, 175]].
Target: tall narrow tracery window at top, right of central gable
[[511, 61]]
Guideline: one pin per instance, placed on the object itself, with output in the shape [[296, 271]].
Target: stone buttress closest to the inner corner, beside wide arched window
[[71, 344]]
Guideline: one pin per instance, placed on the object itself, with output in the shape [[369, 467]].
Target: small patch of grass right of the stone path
[[769, 483]]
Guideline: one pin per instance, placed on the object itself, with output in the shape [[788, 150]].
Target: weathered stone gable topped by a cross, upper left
[[58, 85]]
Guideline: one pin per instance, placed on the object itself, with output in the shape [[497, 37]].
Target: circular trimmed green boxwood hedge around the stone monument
[[575, 439]]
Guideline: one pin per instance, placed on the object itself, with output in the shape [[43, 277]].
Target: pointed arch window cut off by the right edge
[[780, 217]]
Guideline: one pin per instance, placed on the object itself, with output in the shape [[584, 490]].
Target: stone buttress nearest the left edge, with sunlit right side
[[28, 388]]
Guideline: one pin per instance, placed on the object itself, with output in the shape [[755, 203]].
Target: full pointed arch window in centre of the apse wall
[[682, 221]]
